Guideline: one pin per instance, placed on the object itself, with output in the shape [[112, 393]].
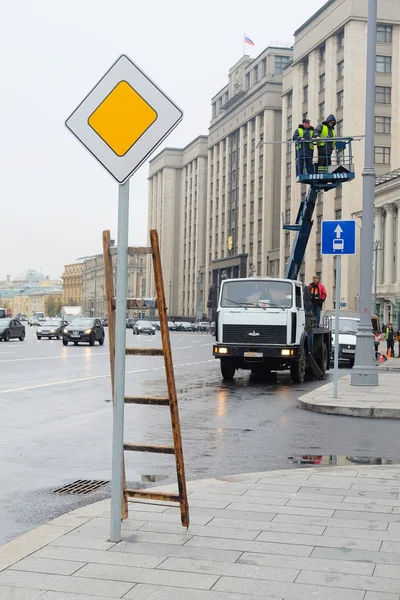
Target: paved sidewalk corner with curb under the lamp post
[[381, 401]]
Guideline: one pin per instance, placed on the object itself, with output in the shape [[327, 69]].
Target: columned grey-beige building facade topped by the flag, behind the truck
[[244, 179]]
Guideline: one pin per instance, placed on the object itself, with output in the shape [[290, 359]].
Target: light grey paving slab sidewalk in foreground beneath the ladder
[[316, 533]]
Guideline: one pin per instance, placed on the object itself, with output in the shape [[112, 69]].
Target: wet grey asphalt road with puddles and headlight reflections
[[56, 422]]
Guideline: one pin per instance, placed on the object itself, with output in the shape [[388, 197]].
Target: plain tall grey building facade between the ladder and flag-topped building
[[177, 209]]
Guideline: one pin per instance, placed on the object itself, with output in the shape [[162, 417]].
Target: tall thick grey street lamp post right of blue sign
[[364, 372]]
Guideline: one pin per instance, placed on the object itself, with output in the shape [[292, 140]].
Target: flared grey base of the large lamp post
[[364, 371]]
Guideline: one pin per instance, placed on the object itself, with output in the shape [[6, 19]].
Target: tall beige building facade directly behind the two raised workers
[[328, 75]]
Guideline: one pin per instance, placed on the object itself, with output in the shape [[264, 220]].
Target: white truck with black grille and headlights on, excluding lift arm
[[261, 326]]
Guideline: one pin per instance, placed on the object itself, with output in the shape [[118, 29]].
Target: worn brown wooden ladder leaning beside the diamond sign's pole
[[170, 400]]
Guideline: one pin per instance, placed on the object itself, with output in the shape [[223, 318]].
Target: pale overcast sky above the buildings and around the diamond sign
[[55, 198]]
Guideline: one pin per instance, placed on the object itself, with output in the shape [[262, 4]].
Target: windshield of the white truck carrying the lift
[[257, 294]]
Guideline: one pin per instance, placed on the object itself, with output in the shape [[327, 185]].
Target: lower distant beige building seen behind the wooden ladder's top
[[93, 285]]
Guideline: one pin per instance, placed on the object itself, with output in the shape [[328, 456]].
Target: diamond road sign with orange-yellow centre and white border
[[124, 119]]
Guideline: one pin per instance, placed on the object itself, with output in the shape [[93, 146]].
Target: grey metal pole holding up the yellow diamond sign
[[119, 370]]
